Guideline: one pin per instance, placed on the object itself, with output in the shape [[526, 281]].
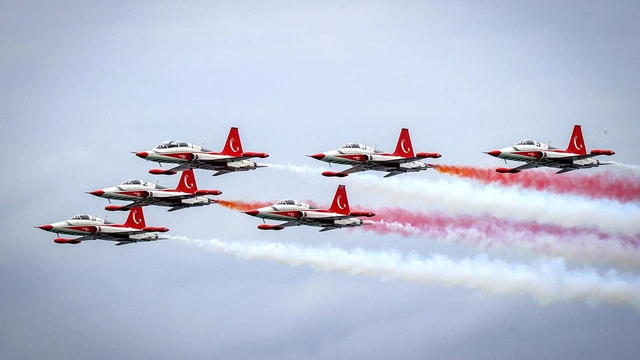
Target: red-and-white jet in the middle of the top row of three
[[363, 158]]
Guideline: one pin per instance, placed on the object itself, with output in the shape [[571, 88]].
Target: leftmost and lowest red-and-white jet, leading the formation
[[94, 228]]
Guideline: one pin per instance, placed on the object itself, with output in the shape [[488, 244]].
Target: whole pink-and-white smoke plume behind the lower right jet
[[489, 232]]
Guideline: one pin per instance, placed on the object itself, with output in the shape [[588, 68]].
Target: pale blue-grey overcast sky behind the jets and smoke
[[82, 85]]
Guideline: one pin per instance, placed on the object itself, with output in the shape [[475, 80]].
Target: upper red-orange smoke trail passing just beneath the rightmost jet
[[594, 185]]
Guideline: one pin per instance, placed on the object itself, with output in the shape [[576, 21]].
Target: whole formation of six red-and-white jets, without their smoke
[[232, 158]]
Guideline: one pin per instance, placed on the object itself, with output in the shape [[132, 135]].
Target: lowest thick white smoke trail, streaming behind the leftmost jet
[[547, 281]]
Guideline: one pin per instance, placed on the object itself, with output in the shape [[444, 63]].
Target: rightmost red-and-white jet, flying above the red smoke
[[536, 154]]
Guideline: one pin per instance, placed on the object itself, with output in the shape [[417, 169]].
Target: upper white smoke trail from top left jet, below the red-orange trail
[[459, 196]]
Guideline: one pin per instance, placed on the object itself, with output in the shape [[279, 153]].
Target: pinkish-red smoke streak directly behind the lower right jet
[[496, 230]]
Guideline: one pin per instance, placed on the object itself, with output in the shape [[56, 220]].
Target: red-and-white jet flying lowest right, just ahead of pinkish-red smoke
[[296, 213]]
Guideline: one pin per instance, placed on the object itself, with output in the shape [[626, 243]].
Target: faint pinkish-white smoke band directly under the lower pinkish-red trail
[[580, 248]]
